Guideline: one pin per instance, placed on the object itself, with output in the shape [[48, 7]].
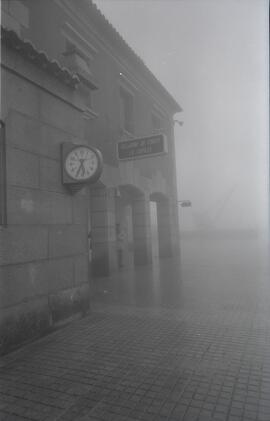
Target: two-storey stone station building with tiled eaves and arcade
[[68, 79]]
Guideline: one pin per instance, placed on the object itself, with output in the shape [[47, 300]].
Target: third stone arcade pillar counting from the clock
[[164, 228]]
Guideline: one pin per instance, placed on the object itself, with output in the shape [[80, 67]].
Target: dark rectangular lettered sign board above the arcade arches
[[142, 147]]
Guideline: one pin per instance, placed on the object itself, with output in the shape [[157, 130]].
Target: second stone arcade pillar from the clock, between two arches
[[141, 230]]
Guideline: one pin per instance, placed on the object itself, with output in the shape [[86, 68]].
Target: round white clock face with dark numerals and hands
[[81, 163]]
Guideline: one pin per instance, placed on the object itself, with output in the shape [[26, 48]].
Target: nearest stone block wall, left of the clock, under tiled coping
[[44, 247]]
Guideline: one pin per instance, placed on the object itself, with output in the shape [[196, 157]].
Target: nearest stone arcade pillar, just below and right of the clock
[[103, 235]]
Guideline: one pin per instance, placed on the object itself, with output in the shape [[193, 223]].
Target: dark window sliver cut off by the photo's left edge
[[2, 175]]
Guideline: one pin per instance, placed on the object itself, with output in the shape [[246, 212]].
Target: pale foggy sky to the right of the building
[[212, 56]]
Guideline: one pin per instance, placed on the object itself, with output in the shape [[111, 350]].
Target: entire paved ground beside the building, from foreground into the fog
[[159, 344]]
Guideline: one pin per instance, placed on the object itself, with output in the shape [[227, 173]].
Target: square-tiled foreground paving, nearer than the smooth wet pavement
[[126, 363]]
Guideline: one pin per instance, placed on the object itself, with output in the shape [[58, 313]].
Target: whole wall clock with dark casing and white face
[[81, 164]]
